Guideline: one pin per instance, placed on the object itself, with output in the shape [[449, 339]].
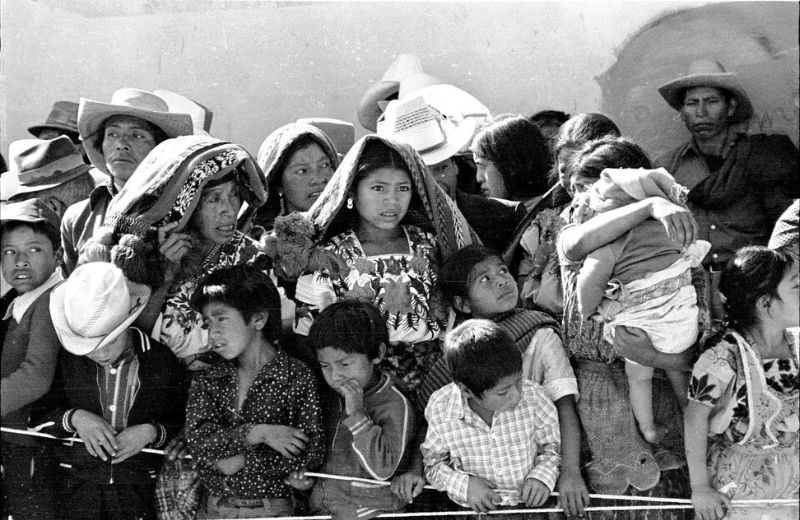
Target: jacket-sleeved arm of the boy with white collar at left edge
[[32, 379]]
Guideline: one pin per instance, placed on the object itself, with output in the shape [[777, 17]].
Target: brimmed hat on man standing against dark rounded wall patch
[[707, 73]]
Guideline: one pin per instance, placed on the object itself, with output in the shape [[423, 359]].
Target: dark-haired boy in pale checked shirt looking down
[[493, 437]]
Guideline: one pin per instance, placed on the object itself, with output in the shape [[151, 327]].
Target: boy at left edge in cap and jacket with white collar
[[30, 253]]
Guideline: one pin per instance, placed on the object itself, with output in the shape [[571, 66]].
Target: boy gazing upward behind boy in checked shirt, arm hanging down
[[479, 285]]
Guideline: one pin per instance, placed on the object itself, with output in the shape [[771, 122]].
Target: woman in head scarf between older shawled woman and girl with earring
[[298, 160]]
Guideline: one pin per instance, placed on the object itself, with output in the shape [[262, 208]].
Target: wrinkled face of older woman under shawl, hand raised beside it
[[215, 217]]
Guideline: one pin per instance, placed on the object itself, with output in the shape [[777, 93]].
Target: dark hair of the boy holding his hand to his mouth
[[351, 326]]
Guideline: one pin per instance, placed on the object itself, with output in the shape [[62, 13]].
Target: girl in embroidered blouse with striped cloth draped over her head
[[389, 222]]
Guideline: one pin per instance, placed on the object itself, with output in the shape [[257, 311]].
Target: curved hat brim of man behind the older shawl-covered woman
[[91, 115]]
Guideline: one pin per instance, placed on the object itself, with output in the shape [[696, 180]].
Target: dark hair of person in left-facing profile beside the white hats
[[519, 151]]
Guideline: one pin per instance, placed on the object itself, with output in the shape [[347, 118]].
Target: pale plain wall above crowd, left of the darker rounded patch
[[261, 64]]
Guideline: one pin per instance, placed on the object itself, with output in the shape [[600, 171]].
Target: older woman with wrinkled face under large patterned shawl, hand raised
[[196, 196]]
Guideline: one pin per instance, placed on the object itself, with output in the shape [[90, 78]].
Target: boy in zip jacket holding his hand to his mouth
[[369, 423]]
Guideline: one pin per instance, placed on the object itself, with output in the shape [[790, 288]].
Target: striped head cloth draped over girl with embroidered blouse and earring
[[430, 209]]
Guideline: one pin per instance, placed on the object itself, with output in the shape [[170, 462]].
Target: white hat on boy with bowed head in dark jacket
[[94, 306]]
